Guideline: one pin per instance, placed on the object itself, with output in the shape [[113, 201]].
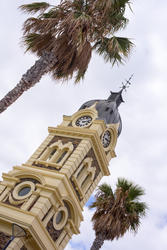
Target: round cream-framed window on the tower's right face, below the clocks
[[60, 218]]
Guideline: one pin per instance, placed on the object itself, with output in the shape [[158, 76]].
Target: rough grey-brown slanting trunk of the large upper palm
[[42, 66]]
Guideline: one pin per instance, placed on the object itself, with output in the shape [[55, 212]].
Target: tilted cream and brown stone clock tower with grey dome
[[45, 195]]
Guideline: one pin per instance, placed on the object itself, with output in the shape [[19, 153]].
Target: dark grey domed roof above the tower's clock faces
[[108, 109]]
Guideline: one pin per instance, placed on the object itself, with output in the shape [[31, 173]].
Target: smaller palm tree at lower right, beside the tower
[[116, 212]]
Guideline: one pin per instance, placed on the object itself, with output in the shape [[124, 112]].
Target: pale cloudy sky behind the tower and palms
[[141, 147]]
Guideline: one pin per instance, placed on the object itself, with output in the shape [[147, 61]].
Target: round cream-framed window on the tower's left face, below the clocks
[[23, 190]]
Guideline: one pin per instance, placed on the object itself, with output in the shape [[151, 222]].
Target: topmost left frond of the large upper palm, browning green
[[34, 7]]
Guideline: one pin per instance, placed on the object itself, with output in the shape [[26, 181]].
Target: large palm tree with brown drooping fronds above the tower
[[64, 36]]
